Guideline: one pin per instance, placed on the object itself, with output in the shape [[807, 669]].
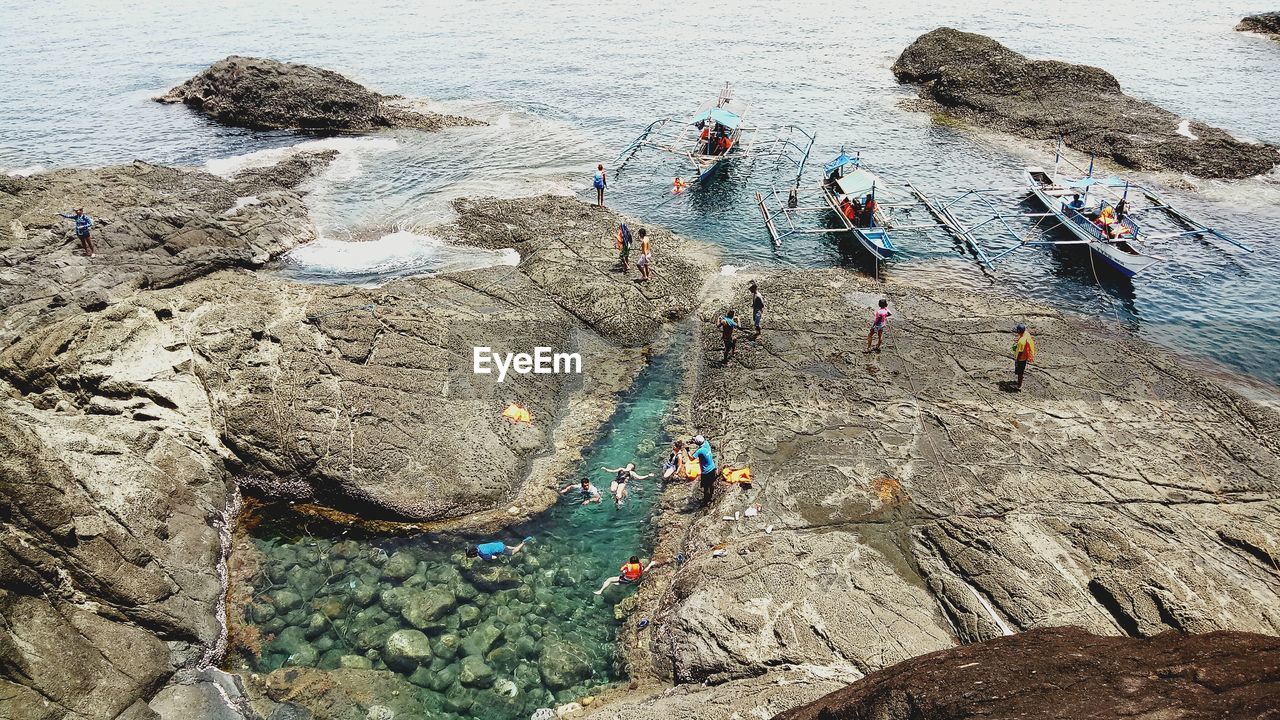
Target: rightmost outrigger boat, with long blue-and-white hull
[[1099, 213]]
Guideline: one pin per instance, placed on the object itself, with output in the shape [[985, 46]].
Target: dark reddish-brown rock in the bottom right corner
[[1068, 673]]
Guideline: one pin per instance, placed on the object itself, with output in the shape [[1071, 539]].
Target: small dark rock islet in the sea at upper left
[[264, 94]]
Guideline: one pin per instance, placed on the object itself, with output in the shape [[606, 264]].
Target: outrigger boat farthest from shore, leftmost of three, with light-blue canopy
[[716, 135]]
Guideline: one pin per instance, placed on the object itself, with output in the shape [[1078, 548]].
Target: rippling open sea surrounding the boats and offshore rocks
[[566, 85]]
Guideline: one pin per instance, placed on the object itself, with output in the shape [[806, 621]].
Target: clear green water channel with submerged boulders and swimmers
[[477, 640]]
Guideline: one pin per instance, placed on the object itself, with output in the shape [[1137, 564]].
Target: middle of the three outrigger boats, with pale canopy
[[857, 199]]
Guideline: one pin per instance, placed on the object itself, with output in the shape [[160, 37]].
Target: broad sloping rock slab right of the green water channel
[[911, 503]]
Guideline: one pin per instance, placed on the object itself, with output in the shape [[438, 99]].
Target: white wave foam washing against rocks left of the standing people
[[394, 256]]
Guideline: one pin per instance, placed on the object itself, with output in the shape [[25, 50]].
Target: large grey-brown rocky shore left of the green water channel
[[144, 388]]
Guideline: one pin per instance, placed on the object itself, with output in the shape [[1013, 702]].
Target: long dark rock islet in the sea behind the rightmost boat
[[980, 80]]
